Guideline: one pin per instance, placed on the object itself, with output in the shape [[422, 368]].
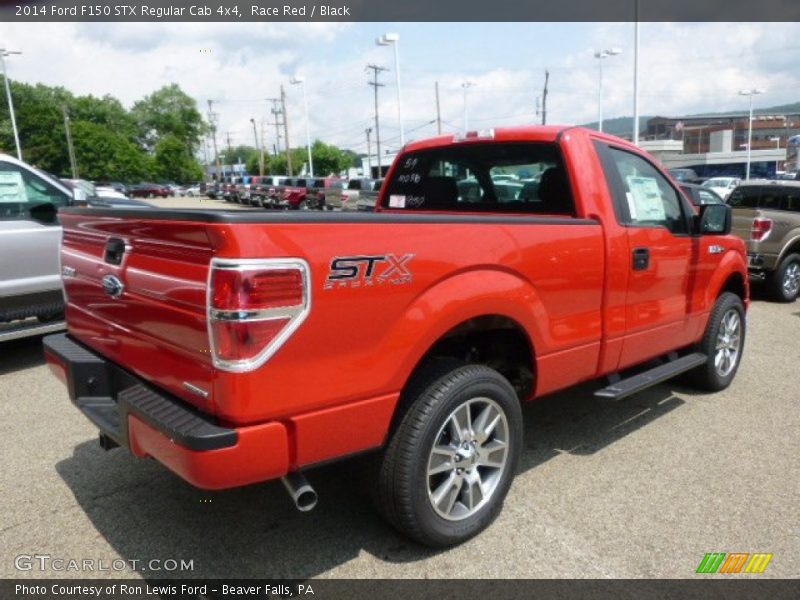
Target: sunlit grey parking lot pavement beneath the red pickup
[[642, 487]]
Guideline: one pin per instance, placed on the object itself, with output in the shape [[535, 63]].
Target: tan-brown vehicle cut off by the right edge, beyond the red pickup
[[766, 214]]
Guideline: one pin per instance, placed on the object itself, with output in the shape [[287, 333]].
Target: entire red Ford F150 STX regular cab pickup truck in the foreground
[[236, 347]]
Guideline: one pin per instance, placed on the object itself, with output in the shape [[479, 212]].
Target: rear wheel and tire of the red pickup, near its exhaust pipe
[[435, 400]]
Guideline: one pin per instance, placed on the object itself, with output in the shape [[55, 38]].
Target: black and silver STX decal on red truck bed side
[[366, 271]]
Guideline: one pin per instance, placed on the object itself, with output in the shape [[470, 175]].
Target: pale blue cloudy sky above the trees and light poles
[[685, 68]]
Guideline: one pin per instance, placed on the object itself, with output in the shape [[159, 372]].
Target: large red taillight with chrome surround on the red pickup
[[254, 306]]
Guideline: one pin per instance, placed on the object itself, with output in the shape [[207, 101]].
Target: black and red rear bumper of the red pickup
[[151, 422]]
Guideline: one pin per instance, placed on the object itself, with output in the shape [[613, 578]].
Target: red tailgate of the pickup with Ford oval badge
[[136, 293]]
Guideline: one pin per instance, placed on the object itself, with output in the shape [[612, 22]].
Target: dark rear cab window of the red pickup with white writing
[[491, 177]]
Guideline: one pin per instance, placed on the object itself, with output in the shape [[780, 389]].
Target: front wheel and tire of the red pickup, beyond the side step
[[726, 325]]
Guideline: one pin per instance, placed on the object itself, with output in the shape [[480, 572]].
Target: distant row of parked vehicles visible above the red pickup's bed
[[297, 193]]
